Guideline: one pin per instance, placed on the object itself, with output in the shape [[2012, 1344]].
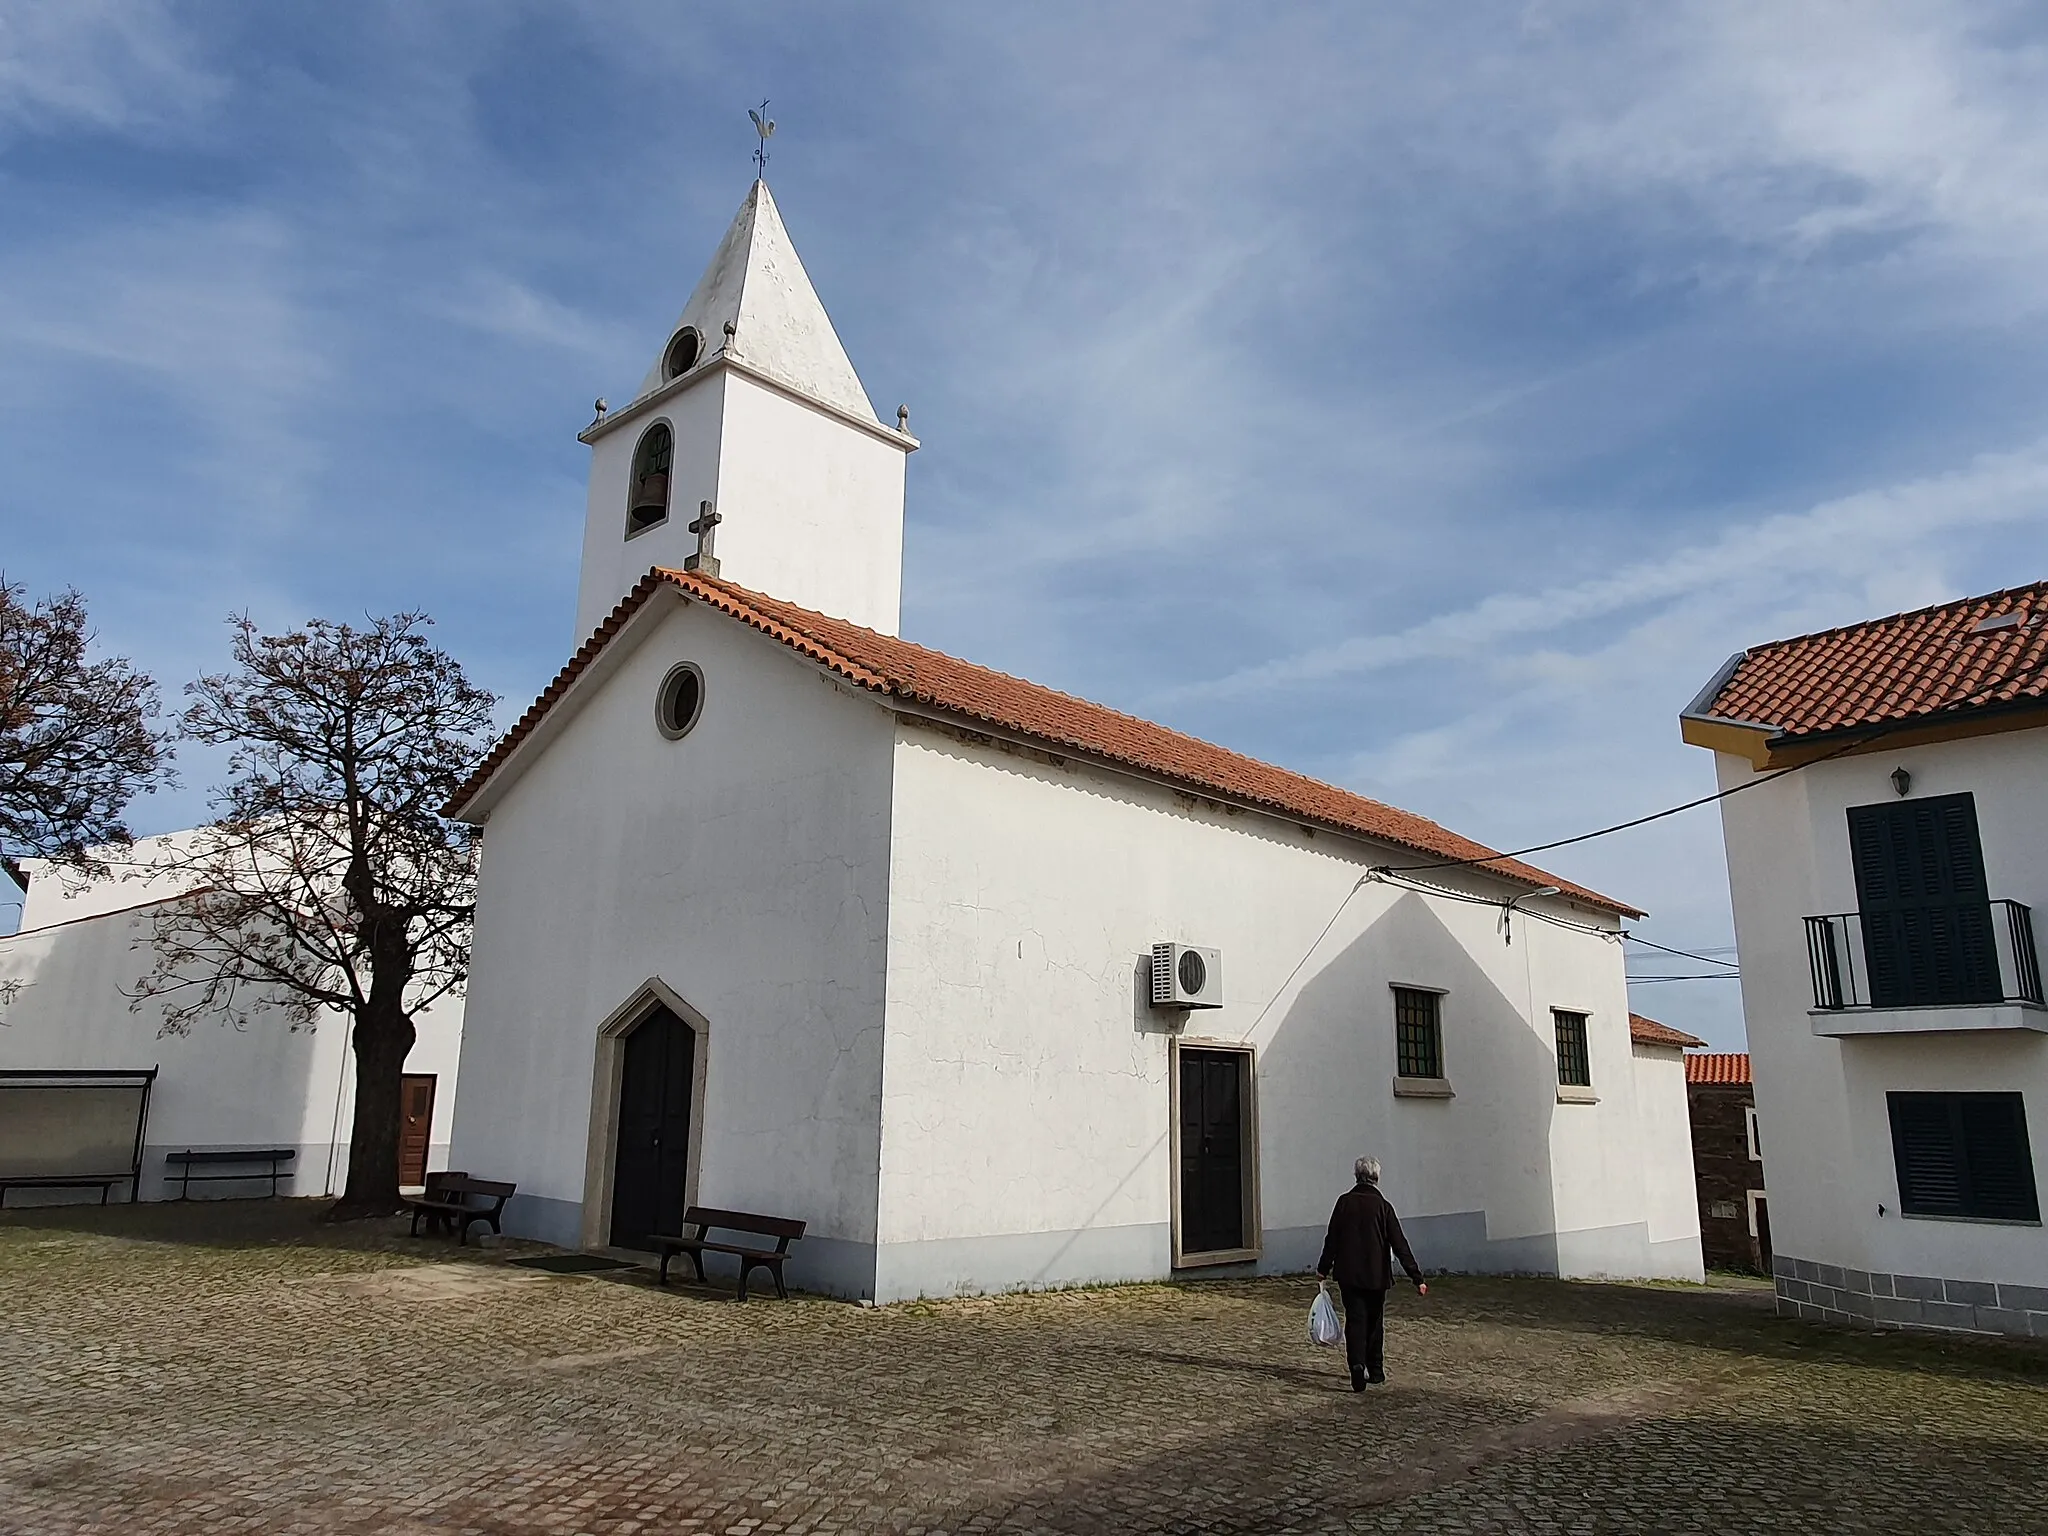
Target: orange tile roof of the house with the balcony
[[1906, 669]]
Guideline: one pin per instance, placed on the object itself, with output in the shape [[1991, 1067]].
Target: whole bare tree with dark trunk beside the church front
[[331, 880]]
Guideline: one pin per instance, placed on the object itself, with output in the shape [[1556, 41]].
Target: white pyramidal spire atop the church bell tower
[[779, 327]]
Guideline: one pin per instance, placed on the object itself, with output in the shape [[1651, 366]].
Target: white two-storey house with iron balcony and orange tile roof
[[1885, 904]]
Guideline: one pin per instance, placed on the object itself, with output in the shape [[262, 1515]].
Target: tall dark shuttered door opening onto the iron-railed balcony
[[1926, 914]]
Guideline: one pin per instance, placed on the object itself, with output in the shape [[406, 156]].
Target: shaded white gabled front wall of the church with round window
[[746, 869]]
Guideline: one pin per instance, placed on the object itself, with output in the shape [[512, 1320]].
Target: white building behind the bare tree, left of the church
[[65, 1007]]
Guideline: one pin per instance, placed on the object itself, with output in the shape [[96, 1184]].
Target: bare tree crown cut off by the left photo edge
[[77, 742]]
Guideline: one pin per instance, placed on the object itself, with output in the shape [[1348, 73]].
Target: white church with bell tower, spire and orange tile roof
[[785, 914]]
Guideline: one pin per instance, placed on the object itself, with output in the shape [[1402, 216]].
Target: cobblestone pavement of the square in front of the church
[[243, 1369]]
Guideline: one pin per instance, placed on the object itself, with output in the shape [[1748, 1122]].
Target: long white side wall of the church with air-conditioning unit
[[1025, 1086]]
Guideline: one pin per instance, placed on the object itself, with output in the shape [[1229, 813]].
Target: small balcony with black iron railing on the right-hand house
[[1938, 968]]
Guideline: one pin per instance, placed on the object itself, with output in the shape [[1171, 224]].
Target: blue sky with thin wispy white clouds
[[1424, 402]]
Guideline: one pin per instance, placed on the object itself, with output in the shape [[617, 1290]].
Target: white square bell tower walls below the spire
[[812, 507]]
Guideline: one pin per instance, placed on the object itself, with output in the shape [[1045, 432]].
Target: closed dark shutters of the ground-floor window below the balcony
[[1963, 1156]]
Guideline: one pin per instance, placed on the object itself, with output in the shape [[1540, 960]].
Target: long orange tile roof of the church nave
[[916, 675]]
